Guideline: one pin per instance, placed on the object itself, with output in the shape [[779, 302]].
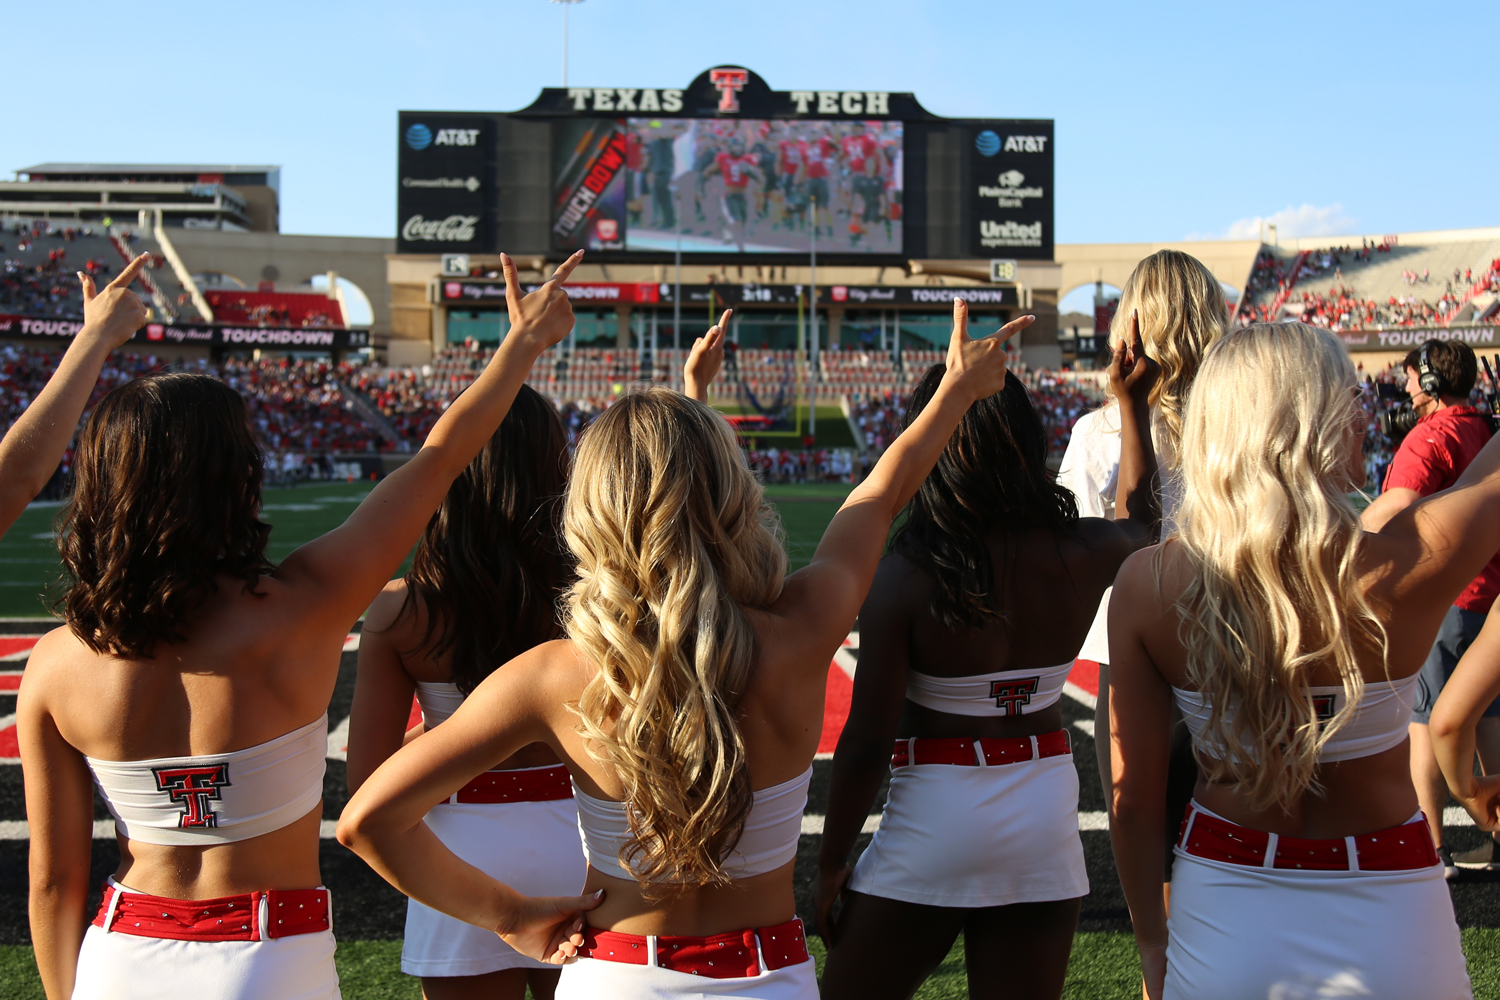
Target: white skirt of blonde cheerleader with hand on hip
[[595, 980]]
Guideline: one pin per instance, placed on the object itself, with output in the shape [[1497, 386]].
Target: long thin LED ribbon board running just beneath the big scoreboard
[[730, 296]]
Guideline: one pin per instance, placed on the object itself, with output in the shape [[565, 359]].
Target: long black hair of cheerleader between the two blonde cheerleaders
[[994, 475]]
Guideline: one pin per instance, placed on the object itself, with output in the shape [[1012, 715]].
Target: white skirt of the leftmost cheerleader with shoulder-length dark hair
[[115, 966]]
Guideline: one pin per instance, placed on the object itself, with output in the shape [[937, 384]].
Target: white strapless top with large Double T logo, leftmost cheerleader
[[217, 798]]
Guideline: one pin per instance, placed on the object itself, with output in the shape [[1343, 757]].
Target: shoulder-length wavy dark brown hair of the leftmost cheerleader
[[167, 500]]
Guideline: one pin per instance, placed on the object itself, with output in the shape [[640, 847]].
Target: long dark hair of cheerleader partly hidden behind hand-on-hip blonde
[[491, 567]]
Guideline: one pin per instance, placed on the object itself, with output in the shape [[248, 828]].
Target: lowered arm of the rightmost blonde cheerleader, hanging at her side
[[1141, 726]]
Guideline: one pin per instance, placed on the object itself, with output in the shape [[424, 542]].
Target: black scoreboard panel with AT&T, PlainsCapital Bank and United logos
[[1010, 191]]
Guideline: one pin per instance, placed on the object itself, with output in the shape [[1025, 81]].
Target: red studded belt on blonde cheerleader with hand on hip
[[728, 956]]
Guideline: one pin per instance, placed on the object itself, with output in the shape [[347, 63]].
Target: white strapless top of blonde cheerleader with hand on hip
[[769, 840]]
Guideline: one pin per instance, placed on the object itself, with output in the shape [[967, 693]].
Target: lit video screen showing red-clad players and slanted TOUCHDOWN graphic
[[727, 187]]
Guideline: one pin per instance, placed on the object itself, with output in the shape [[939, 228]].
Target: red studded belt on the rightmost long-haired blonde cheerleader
[[1396, 849]]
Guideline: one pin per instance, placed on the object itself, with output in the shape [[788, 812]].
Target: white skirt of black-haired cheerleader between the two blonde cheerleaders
[[979, 837]]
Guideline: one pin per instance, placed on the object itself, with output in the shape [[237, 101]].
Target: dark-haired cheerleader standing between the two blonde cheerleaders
[[991, 578]]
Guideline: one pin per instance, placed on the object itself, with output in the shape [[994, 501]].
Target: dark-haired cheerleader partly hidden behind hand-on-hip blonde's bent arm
[[484, 588]]
